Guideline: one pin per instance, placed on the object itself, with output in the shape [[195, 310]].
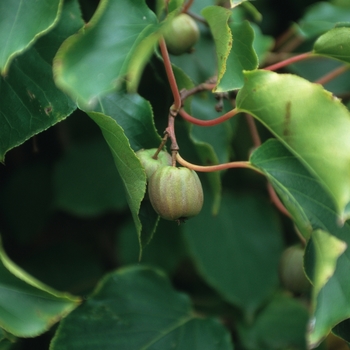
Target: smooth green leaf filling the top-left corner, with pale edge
[[21, 23]]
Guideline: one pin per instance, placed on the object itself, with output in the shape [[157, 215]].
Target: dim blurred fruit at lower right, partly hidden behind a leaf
[[292, 274]]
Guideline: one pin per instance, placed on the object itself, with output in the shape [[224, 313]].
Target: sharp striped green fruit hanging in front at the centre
[[175, 192]]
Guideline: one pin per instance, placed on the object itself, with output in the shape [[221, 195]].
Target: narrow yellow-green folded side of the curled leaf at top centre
[[217, 18]]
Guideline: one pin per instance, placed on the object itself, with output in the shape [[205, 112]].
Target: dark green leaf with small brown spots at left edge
[[29, 100]]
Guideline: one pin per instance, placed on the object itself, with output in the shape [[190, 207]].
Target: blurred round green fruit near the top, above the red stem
[[181, 35]]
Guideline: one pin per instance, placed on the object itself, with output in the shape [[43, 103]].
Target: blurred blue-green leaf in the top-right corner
[[321, 17]]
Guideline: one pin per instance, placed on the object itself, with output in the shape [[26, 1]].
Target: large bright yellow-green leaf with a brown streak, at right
[[298, 113]]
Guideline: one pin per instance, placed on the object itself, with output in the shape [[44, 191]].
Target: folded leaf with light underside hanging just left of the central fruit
[[131, 117]]
